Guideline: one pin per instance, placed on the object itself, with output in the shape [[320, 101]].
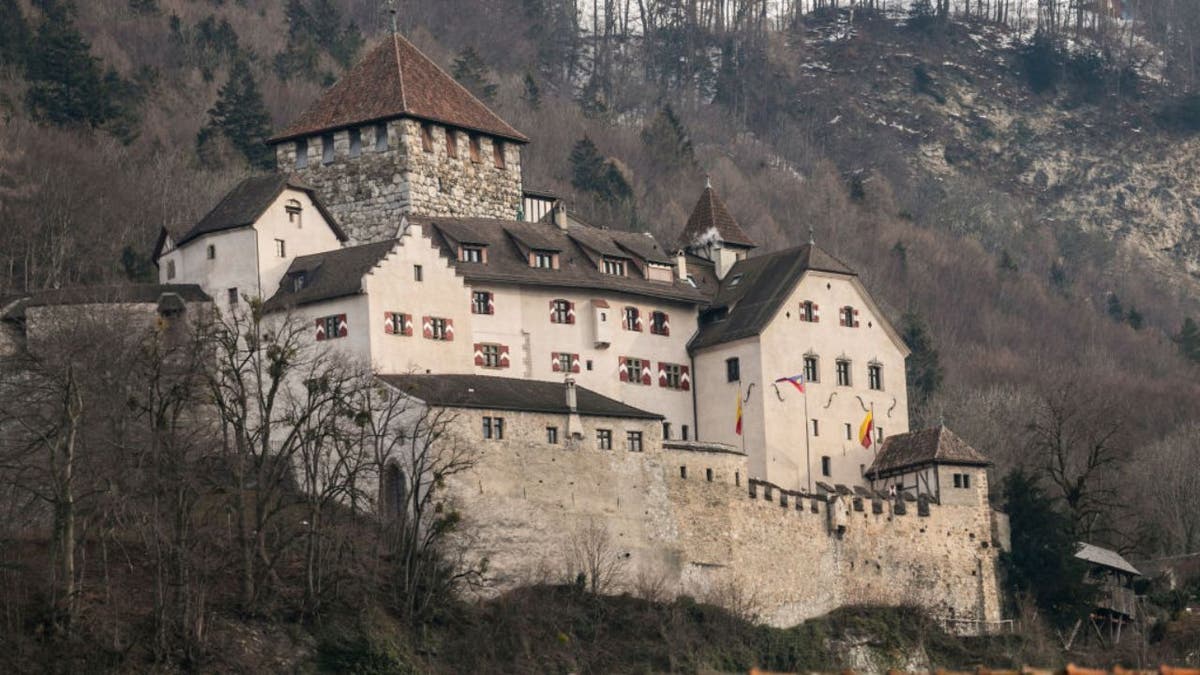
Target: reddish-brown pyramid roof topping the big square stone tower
[[395, 80]]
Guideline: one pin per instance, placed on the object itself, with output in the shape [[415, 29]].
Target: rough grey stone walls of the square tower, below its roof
[[370, 194]]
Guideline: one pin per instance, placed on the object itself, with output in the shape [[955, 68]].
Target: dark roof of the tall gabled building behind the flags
[[753, 291]]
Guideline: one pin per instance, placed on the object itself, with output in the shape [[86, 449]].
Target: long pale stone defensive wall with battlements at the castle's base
[[712, 536]]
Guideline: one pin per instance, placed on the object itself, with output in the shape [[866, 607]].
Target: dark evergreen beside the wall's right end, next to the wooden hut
[[1043, 561]]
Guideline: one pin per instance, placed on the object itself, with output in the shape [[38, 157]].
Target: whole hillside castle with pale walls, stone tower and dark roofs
[[733, 420]]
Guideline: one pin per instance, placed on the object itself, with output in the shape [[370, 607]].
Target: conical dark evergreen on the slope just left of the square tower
[[242, 118]]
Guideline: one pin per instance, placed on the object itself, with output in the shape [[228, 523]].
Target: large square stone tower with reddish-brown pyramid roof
[[398, 136]]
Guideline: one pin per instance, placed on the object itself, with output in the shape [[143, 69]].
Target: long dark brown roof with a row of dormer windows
[[509, 242]]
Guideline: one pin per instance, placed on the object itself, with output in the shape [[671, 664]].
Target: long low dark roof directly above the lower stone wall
[[511, 395]]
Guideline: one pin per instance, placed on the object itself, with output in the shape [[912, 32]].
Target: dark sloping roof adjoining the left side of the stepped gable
[[328, 276]]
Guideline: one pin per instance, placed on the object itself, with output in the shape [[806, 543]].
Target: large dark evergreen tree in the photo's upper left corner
[[67, 85]]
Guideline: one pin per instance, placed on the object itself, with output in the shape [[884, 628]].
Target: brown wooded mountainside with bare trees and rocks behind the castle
[[1024, 207]]
